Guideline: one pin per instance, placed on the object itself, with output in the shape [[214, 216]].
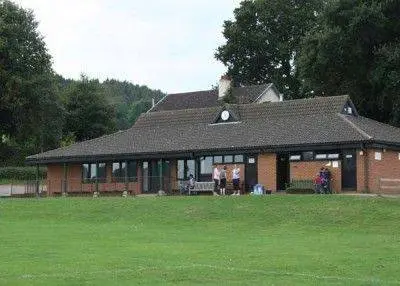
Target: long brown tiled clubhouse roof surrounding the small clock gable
[[316, 121]]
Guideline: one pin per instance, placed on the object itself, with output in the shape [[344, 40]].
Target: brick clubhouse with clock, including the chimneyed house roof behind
[[272, 141]]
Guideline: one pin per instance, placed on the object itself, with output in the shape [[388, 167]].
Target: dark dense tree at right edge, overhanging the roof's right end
[[355, 49]]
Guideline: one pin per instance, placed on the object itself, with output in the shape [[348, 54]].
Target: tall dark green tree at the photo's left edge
[[30, 112]]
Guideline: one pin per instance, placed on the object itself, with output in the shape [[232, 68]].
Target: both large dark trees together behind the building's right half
[[319, 48]]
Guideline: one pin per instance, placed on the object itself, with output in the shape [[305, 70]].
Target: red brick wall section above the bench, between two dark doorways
[[307, 170]]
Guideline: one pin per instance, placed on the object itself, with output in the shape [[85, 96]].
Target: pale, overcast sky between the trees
[[164, 44]]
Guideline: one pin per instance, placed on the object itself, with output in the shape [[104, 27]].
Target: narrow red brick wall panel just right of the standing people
[[267, 170]]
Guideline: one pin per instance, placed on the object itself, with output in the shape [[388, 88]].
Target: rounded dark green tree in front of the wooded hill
[[89, 115]]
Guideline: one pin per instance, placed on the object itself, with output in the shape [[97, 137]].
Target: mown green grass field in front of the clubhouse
[[272, 240]]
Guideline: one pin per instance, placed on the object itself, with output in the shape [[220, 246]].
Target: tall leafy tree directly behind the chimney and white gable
[[264, 40]]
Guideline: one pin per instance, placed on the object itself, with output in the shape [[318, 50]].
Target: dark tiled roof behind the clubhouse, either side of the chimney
[[207, 98]]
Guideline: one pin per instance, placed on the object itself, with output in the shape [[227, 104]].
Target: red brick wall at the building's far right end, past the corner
[[388, 168]]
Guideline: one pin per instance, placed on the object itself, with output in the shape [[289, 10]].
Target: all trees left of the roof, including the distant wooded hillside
[[40, 110]]
